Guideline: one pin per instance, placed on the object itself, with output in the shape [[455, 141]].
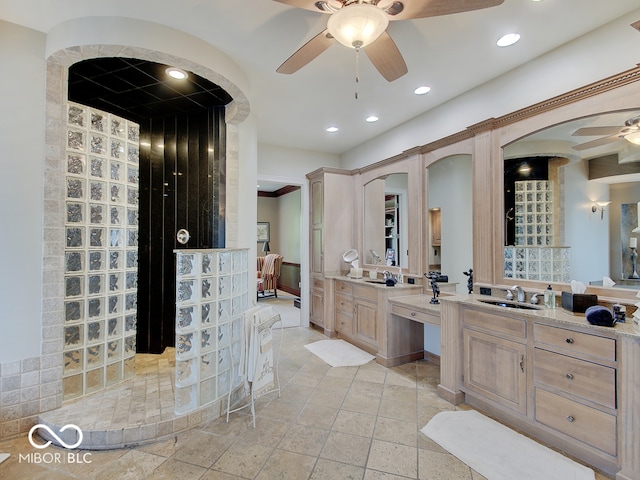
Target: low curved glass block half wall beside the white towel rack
[[212, 293]]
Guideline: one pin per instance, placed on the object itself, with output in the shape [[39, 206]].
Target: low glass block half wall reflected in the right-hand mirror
[[547, 264]]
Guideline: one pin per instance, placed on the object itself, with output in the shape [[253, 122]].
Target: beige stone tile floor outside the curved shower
[[330, 423]]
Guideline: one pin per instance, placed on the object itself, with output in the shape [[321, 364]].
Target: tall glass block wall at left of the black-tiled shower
[[101, 252]]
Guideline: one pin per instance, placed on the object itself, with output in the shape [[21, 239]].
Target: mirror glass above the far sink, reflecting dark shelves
[[385, 230]]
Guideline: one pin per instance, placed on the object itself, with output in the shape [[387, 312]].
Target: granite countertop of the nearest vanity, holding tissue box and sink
[[559, 315]]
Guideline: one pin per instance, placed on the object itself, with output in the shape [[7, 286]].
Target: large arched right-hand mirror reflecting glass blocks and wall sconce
[[571, 194]]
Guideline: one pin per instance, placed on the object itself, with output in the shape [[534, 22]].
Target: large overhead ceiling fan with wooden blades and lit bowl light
[[362, 24]]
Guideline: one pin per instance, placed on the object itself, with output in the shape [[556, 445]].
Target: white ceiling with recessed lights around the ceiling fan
[[451, 54]]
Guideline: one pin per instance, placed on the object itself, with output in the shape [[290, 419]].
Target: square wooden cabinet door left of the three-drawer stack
[[495, 368]]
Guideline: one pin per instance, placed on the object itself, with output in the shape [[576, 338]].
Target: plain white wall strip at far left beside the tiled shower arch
[[22, 114]]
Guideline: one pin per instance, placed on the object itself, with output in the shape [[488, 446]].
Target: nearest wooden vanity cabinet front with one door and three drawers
[[559, 383]]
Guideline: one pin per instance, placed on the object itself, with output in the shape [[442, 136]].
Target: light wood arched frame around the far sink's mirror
[[410, 165]]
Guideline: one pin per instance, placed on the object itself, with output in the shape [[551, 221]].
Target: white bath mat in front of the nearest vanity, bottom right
[[497, 452]]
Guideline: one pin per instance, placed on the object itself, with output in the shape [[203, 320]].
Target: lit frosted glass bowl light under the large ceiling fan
[[357, 25]]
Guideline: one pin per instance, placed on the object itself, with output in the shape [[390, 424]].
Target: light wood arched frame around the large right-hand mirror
[[590, 102]]
